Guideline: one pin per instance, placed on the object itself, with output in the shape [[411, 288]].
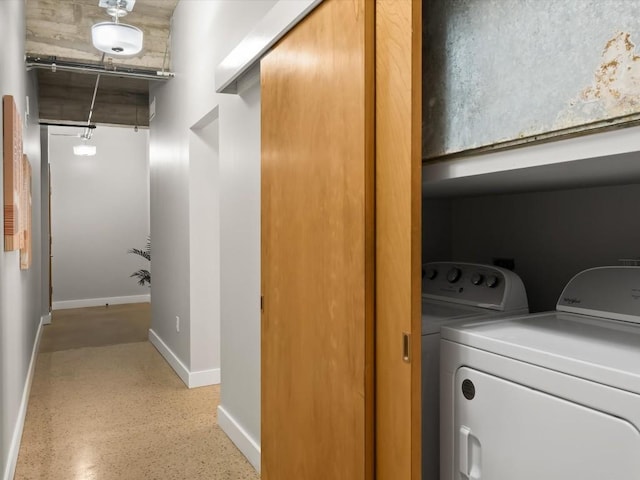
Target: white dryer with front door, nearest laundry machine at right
[[551, 396]]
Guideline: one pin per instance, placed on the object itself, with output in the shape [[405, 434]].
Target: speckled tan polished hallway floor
[[104, 404]]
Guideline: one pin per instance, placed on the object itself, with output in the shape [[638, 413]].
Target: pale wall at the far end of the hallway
[[99, 210]]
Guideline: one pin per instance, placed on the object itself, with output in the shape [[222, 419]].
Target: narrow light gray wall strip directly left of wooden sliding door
[[240, 259]]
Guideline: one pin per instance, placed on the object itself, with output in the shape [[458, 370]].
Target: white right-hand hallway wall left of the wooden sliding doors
[[202, 35]]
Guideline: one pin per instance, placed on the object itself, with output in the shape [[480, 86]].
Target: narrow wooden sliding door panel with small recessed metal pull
[[398, 238]]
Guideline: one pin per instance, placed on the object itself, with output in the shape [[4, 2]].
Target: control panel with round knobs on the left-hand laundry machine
[[479, 285]]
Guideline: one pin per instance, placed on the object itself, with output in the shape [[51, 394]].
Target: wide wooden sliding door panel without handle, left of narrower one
[[318, 247]]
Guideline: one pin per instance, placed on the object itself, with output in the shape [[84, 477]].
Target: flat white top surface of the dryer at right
[[596, 349]]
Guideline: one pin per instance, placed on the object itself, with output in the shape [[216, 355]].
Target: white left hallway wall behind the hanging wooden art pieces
[[21, 308]]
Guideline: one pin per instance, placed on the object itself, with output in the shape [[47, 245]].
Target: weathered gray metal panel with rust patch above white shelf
[[503, 72]]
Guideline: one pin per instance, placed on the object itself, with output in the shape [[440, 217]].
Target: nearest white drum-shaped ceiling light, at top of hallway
[[115, 38]]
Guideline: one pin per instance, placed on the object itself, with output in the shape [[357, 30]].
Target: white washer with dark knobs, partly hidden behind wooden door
[[453, 292]]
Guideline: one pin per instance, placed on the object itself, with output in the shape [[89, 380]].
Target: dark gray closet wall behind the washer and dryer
[[550, 235]]
